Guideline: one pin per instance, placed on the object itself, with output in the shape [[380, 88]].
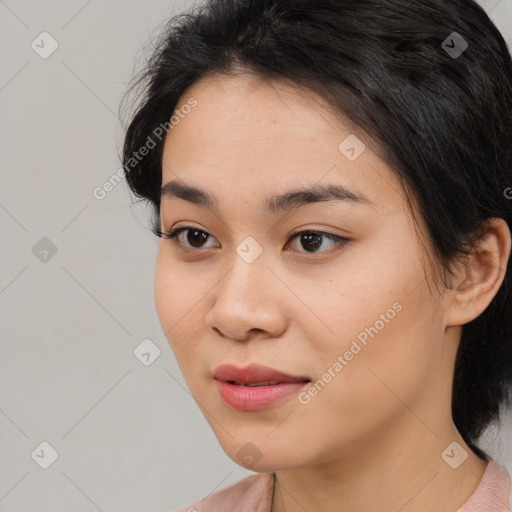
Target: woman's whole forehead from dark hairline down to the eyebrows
[[265, 136]]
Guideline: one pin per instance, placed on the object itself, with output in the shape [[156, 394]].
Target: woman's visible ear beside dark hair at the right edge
[[479, 278]]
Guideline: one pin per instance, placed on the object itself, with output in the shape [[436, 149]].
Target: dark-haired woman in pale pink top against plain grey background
[[331, 185]]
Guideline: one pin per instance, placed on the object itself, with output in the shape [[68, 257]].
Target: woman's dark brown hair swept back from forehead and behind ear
[[443, 124]]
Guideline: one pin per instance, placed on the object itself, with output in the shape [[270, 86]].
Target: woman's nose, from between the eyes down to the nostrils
[[250, 300]]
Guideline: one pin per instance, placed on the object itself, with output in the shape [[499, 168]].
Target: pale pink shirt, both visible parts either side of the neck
[[254, 494]]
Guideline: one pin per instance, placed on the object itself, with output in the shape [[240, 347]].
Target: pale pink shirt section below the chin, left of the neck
[[252, 494]]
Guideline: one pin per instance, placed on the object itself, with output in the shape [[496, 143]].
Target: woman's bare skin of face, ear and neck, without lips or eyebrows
[[372, 438]]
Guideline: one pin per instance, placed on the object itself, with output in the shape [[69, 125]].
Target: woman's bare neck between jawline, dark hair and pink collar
[[398, 467]]
